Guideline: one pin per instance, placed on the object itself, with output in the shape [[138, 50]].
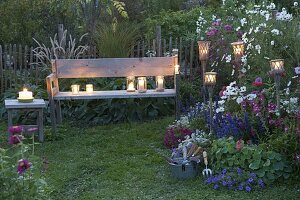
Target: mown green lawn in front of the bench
[[123, 162]]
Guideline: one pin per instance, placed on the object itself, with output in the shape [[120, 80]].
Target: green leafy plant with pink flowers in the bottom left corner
[[29, 185]]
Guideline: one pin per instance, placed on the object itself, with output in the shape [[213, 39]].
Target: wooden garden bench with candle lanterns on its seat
[[108, 67]]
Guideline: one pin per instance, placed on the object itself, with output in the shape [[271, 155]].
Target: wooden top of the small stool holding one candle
[[14, 103]]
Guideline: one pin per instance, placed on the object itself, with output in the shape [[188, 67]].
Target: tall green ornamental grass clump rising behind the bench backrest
[[116, 40]]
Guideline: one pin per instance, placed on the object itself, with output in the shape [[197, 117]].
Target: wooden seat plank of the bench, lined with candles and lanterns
[[116, 94]]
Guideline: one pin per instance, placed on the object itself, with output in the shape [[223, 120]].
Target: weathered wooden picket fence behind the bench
[[18, 64]]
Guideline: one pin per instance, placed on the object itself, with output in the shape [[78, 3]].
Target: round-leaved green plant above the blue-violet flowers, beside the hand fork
[[267, 164]]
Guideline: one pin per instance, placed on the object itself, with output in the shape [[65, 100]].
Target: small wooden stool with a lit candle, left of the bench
[[37, 106]]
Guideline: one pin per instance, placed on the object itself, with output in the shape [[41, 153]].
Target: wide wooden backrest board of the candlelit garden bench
[[114, 67]]
